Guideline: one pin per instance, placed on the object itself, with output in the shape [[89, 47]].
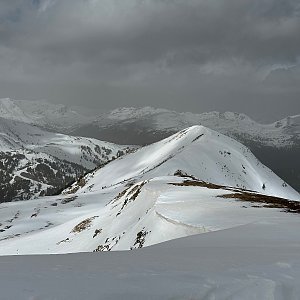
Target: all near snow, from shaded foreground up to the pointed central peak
[[240, 217]]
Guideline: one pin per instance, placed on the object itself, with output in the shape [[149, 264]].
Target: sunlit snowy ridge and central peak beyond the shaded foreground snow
[[196, 181]]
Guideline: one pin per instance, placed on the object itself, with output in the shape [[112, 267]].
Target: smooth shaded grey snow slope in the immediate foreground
[[256, 261]]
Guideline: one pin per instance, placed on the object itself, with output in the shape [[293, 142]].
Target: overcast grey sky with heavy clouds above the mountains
[[188, 55]]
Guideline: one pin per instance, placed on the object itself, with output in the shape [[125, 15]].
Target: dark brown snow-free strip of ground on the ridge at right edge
[[266, 201]]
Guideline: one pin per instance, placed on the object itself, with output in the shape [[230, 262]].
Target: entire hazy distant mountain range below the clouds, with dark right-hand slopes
[[277, 145]]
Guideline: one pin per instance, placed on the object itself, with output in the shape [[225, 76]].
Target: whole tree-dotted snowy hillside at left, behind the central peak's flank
[[36, 162]]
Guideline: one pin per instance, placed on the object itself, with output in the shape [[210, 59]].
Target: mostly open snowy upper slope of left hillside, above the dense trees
[[87, 152]]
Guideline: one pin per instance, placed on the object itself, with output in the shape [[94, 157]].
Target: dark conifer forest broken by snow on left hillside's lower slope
[[23, 178]]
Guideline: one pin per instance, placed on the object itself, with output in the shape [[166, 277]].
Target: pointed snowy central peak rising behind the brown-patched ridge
[[197, 151]]
